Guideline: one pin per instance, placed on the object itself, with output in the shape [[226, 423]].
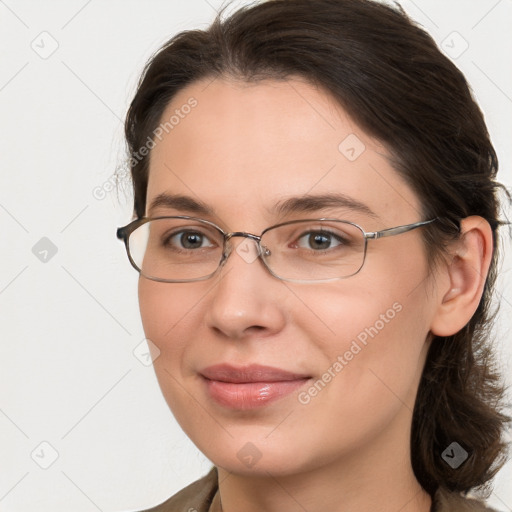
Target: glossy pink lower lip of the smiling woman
[[250, 395]]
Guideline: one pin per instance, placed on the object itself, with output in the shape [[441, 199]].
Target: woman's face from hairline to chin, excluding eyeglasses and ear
[[346, 356]]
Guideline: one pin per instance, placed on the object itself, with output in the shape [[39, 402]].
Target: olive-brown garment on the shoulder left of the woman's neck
[[196, 497]]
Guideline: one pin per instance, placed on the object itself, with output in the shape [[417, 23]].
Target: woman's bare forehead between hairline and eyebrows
[[246, 147]]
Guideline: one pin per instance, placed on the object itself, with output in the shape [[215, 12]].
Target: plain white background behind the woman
[[69, 326]]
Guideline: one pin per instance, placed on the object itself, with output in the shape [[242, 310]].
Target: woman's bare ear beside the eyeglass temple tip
[[463, 277]]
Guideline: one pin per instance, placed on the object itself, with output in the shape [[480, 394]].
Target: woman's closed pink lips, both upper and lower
[[251, 386]]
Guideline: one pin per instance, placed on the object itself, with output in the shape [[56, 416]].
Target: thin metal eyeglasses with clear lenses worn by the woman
[[182, 249]]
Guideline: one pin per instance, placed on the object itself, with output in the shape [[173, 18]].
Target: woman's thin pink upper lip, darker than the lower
[[251, 373]]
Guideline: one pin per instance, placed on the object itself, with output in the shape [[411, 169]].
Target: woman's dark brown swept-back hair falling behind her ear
[[391, 78]]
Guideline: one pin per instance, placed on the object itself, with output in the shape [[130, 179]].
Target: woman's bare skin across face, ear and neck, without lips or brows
[[241, 150]]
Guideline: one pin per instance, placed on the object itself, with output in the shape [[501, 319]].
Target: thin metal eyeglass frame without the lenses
[[123, 234]]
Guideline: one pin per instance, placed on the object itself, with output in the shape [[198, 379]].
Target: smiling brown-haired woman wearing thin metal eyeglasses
[[316, 232]]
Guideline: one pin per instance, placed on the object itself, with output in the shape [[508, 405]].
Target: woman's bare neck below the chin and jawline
[[378, 476]]
